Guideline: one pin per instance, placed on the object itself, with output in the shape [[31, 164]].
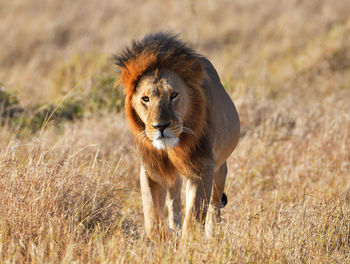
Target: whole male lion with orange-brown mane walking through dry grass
[[185, 126]]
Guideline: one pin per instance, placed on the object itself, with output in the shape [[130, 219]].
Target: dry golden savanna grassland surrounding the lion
[[69, 188]]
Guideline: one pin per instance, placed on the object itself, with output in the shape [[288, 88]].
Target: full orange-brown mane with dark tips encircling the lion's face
[[165, 51]]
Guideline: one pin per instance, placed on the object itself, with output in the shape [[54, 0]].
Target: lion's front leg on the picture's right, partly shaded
[[198, 192]]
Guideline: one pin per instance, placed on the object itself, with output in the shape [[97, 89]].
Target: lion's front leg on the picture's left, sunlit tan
[[153, 199]]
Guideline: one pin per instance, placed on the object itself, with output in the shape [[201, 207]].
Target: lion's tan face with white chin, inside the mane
[[161, 101]]
